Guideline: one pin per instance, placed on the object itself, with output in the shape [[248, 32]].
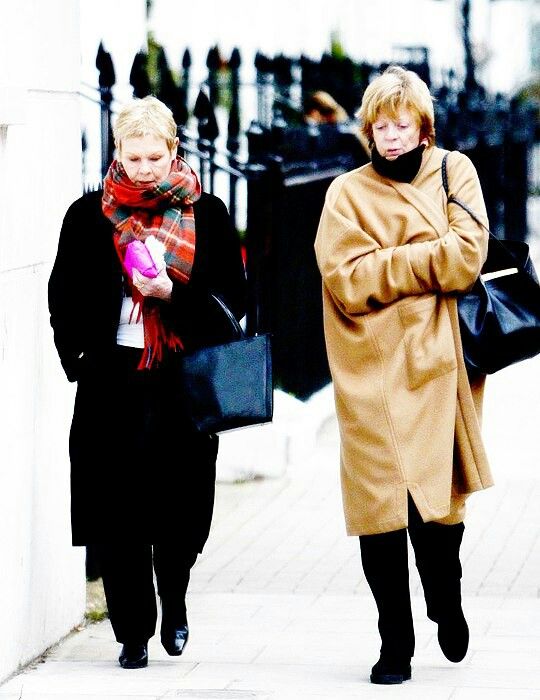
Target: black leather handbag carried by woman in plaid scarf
[[229, 386]]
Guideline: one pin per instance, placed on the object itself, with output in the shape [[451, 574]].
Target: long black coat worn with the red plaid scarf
[[139, 470]]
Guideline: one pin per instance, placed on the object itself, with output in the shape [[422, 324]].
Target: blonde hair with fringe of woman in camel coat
[[393, 90]]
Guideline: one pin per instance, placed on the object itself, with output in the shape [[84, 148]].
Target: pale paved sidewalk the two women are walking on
[[279, 608]]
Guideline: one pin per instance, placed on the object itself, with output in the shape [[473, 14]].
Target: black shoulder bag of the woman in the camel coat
[[499, 317]]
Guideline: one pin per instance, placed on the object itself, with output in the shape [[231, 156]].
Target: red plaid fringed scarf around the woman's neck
[[166, 212]]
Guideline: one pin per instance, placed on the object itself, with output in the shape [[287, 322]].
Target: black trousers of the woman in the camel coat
[[385, 564]]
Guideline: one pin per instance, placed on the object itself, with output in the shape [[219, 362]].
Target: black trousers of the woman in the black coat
[[128, 581]]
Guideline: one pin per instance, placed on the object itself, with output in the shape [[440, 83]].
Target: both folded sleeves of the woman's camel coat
[[362, 276]]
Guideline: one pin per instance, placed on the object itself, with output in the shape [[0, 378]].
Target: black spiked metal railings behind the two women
[[274, 174]]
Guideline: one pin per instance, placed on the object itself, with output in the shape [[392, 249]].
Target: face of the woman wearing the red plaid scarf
[[146, 159]]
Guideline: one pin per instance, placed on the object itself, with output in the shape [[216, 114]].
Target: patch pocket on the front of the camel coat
[[429, 342]]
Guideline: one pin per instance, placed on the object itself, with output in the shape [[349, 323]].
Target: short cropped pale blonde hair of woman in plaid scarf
[[142, 117]]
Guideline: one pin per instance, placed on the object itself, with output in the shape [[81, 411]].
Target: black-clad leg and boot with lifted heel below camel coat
[[436, 549]]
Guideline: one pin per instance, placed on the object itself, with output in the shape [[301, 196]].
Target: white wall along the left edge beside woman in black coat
[[42, 586]]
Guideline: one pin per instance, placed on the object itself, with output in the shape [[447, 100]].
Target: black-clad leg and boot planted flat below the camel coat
[[384, 560]]
